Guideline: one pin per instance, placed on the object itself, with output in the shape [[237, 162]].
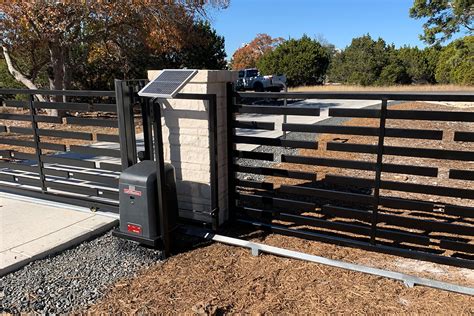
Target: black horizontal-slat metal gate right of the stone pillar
[[394, 177]]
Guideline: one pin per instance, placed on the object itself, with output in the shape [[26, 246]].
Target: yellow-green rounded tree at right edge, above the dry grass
[[456, 62]]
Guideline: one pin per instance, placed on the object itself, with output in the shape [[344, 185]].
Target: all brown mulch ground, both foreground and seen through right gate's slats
[[220, 279]]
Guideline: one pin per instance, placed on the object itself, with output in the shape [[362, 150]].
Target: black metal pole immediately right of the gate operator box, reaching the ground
[[160, 178]]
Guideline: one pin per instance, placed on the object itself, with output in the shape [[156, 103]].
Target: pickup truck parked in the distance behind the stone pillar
[[250, 79]]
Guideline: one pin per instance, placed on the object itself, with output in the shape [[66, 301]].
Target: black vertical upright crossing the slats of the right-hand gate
[[378, 169]]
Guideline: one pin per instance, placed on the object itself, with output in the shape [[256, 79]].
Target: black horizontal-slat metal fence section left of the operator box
[[72, 158]]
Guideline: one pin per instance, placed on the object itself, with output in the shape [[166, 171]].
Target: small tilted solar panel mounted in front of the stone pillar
[[168, 83]]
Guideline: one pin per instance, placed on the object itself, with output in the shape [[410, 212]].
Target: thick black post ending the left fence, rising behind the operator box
[[126, 123]]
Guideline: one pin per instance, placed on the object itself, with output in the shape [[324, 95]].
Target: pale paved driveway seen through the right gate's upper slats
[[324, 105]]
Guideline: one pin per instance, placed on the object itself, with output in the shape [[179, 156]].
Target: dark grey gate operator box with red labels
[[139, 219]]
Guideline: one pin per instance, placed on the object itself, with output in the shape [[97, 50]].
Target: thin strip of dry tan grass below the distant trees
[[436, 88]]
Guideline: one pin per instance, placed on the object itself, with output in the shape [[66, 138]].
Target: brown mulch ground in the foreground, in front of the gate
[[220, 279]]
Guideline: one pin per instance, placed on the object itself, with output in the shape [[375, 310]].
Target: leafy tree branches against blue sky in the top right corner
[[444, 18]]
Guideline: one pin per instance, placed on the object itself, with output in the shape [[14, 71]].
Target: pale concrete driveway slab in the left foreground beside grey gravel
[[32, 229]]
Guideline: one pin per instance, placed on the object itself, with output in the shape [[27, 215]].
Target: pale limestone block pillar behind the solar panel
[[186, 143]]
